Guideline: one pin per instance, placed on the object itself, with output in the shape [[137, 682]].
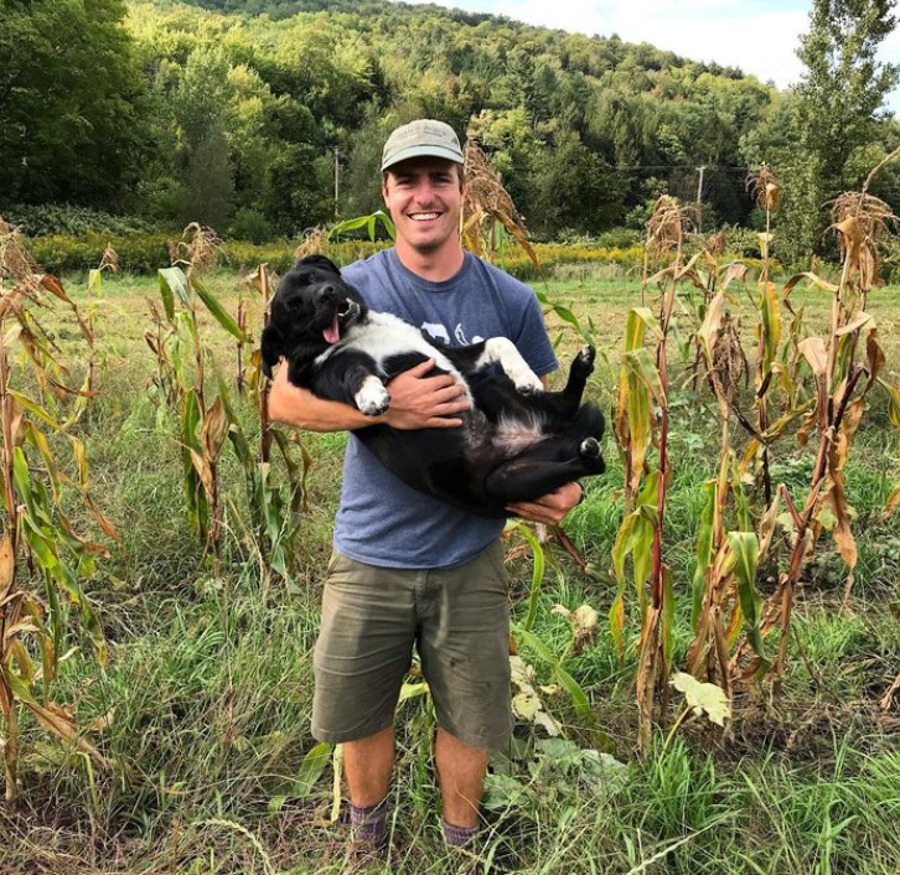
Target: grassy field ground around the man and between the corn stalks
[[202, 712]]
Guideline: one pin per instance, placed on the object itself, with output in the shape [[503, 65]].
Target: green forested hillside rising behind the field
[[254, 115]]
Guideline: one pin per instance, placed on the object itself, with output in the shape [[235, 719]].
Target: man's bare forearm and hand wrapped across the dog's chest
[[417, 401]]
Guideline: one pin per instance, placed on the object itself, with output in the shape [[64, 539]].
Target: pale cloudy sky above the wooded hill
[[758, 36]]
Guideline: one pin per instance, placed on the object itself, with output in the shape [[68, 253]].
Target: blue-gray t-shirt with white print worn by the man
[[381, 520]]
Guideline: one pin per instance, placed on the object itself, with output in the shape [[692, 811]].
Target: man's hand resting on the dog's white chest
[[418, 401]]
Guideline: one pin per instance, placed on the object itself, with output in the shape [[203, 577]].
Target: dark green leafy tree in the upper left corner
[[71, 111]]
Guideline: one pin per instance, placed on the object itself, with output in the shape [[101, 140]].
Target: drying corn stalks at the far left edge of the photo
[[36, 530]]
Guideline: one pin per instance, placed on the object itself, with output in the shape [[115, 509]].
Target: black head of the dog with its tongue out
[[312, 310]]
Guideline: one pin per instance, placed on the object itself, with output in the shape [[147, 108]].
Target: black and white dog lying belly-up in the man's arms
[[516, 442]]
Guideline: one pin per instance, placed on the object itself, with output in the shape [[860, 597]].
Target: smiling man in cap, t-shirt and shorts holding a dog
[[408, 568]]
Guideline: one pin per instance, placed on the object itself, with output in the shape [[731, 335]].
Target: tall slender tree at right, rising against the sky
[[837, 111]]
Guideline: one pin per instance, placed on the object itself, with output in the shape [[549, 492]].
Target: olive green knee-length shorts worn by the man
[[458, 620]]
